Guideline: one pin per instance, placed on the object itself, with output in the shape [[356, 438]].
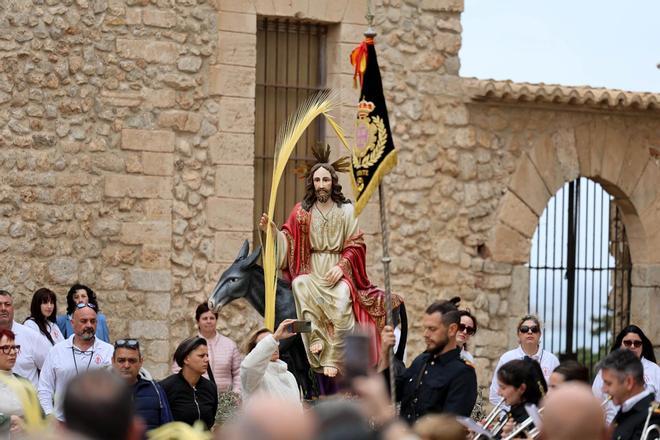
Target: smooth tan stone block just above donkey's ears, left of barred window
[[230, 214]]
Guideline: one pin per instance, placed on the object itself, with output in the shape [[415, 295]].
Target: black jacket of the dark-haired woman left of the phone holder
[[190, 404]]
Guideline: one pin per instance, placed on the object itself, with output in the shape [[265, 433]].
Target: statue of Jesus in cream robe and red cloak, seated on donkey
[[321, 250]]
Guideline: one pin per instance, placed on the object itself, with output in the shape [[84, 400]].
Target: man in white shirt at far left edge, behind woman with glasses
[[33, 350]]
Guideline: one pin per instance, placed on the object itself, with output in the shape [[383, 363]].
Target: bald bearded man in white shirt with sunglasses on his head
[[77, 354]]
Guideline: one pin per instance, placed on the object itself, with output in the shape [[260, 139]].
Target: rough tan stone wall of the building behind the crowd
[[126, 145]]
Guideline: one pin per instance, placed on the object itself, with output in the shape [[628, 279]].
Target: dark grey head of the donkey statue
[[235, 282]]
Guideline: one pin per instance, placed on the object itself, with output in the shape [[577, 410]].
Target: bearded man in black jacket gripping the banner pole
[[439, 380]]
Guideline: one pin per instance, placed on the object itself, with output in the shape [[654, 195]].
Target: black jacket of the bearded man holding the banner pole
[[437, 384]]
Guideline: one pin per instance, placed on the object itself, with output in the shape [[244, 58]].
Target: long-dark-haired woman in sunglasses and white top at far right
[[632, 338]]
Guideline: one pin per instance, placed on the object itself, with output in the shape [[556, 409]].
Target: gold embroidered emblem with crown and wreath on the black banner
[[370, 141]]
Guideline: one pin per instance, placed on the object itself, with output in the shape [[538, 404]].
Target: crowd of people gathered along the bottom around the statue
[[96, 389]]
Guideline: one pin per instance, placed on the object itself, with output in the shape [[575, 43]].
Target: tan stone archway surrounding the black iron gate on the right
[[615, 151]]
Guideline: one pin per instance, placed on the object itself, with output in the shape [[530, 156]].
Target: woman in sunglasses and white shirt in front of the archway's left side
[[529, 338]]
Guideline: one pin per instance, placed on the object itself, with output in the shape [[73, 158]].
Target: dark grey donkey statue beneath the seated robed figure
[[245, 279]]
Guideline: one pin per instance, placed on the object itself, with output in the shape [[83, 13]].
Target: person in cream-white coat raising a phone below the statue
[[262, 371]]
